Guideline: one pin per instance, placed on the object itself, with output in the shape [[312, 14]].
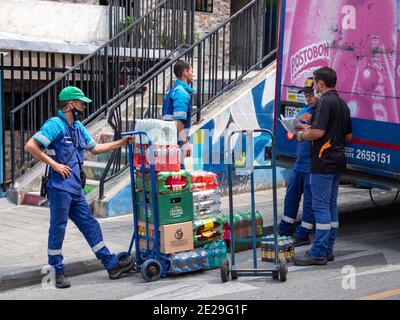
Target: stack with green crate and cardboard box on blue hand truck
[[174, 198]]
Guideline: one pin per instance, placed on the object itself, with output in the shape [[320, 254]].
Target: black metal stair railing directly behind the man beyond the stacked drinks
[[220, 60]]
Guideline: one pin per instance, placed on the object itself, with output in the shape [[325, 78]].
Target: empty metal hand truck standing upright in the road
[[280, 270]]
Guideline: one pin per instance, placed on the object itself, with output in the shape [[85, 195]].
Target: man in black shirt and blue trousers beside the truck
[[330, 129]]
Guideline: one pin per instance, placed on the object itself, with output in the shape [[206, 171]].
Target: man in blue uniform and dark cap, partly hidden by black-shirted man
[[299, 182]]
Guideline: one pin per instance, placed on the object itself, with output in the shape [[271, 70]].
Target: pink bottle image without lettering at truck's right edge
[[369, 30]]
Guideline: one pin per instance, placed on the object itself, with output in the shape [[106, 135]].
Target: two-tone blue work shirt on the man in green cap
[[55, 135]]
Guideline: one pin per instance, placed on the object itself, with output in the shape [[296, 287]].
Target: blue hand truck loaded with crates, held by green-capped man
[[151, 263]]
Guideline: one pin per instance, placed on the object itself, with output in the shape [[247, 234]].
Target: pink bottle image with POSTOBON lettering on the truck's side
[[305, 51]]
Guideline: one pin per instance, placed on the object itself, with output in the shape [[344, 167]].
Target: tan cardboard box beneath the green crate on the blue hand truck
[[173, 237]]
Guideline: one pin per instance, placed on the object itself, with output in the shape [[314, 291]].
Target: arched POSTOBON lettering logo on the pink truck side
[[301, 60]]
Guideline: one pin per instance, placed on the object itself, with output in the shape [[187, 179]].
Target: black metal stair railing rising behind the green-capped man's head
[[106, 73]]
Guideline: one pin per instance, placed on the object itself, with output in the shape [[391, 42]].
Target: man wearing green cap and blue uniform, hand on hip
[[66, 139]]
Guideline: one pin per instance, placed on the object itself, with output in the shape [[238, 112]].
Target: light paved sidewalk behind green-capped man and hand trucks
[[24, 230]]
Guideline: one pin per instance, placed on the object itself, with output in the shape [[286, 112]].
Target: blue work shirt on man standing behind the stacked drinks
[[182, 102]]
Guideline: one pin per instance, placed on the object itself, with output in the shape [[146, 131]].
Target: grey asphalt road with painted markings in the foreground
[[366, 266]]
